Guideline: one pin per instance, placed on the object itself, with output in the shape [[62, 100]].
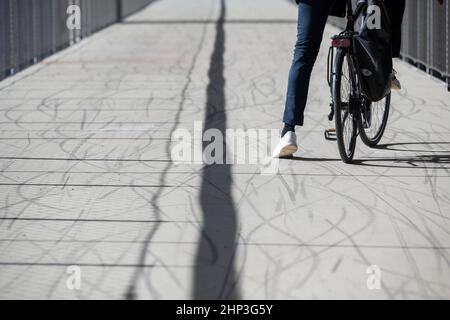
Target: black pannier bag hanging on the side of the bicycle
[[373, 54]]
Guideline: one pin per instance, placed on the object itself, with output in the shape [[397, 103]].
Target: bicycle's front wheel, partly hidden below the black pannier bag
[[373, 120]]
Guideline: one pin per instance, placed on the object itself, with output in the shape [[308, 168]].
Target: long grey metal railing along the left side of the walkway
[[31, 30]]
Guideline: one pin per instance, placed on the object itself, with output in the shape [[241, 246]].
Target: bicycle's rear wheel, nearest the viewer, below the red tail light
[[345, 118]]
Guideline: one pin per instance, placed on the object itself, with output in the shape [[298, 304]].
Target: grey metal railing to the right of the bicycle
[[426, 36]]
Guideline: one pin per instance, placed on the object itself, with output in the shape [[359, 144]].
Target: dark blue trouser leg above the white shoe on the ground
[[312, 17]]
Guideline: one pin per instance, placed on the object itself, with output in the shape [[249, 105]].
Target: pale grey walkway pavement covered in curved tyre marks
[[87, 178]]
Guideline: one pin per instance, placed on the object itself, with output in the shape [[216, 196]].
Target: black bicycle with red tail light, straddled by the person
[[353, 112]]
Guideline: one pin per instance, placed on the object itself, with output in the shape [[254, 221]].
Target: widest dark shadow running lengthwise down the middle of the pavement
[[214, 274]]
